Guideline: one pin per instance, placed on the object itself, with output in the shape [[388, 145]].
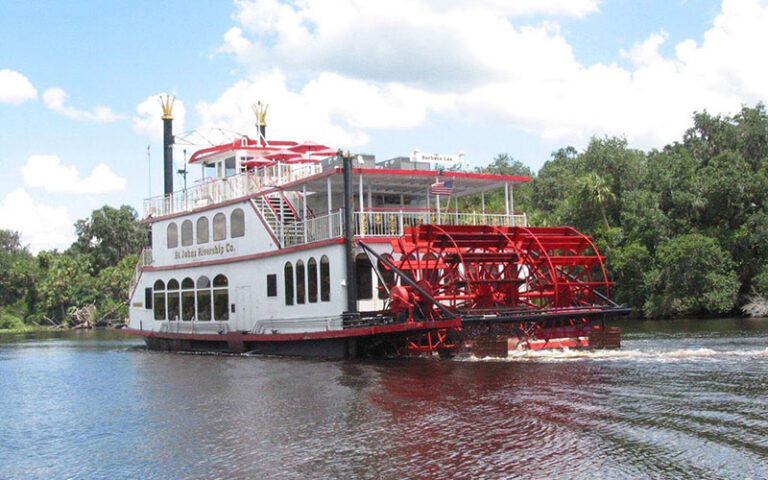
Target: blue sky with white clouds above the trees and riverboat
[[80, 81]]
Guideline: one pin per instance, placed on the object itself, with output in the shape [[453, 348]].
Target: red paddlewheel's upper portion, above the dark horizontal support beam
[[492, 270]]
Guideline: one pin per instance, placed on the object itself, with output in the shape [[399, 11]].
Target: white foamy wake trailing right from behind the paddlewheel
[[566, 355]]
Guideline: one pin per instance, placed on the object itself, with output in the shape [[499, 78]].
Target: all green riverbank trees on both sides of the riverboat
[[684, 228]]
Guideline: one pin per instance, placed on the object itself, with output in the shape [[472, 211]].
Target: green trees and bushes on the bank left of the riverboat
[[84, 285]]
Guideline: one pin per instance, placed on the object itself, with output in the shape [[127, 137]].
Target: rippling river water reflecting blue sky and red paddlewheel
[[682, 399]]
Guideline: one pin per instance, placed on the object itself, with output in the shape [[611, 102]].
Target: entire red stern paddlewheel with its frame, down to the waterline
[[532, 283]]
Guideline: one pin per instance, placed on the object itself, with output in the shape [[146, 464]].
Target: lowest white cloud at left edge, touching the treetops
[[41, 226]]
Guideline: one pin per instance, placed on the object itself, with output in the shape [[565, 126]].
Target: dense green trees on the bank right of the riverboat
[[684, 228]]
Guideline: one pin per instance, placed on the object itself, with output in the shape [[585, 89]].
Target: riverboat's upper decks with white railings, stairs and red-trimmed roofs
[[299, 195]]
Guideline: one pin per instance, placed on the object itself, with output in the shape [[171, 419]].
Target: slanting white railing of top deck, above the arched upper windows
[[216, 190]]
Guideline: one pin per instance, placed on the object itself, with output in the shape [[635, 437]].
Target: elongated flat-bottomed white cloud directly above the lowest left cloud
[[47, 172]]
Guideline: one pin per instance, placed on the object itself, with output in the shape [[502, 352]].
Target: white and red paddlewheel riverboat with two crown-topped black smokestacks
[[292, 248]]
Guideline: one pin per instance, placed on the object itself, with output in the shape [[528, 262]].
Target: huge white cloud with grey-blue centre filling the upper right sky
[[350, 66]]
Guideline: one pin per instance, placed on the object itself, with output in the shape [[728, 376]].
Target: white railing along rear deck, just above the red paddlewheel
[[393, 223]]
